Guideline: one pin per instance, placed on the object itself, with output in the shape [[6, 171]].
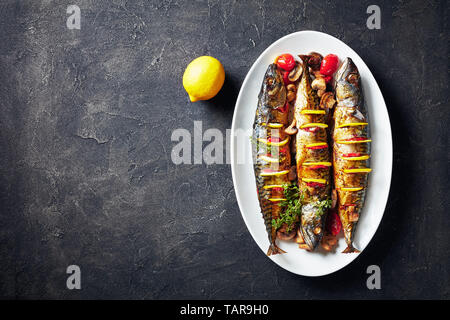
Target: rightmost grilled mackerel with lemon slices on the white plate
[[351, 150]]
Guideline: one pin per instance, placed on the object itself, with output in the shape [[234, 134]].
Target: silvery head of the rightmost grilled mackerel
[[347, 84]]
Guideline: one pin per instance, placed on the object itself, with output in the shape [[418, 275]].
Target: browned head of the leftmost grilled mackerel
[[273, 90]]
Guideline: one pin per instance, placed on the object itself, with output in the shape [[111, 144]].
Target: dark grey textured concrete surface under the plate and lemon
[[85, 171]]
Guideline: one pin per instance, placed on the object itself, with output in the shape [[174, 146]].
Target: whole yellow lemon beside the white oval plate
[[203, 78]]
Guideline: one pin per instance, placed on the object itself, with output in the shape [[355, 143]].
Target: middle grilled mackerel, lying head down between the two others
[[313, 161]]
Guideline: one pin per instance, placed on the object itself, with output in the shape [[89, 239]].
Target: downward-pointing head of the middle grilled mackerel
[[311, 226]]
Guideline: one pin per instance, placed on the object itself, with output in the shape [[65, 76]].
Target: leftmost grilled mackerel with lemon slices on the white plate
[[271, 155]]
